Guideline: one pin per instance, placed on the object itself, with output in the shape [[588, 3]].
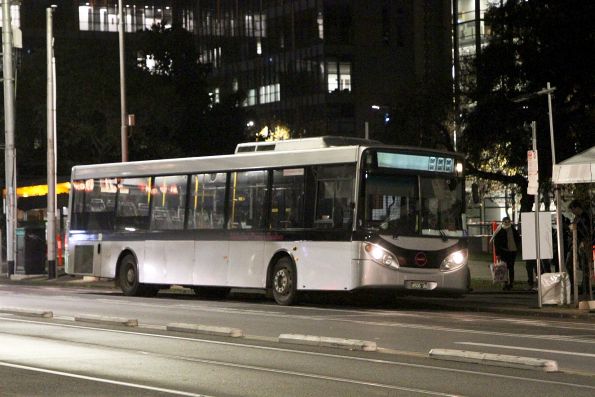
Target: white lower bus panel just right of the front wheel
[[325, 265]]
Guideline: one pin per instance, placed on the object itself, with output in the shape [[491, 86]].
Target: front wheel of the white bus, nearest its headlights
[[282, 279]]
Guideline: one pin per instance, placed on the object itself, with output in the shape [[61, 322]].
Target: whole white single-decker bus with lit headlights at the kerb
[[325, 214]]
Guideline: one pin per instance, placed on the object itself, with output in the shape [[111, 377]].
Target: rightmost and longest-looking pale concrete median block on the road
[[500, 360]]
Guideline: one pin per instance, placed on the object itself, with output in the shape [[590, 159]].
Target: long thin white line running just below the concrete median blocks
[[308, 353]]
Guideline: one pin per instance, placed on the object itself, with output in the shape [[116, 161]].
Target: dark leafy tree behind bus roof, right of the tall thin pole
[[197, 124]]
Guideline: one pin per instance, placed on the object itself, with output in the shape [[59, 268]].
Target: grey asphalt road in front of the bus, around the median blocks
[[61, 356]]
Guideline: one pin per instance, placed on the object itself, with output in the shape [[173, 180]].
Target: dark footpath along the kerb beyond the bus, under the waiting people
[[485, 296]]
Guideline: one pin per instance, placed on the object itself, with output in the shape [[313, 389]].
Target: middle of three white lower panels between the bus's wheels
[[211, 263]]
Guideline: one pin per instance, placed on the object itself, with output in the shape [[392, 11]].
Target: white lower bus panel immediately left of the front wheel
[[247, 266]]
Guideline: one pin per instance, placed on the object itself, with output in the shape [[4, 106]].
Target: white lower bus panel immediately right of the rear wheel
[[168, 262]]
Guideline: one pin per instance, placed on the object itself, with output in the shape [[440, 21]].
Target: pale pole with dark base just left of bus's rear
[[51, 158]]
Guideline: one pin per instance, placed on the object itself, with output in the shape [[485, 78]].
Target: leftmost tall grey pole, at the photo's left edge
[[9, 148]]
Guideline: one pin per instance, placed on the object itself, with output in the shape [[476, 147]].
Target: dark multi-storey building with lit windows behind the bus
[[314, 66]]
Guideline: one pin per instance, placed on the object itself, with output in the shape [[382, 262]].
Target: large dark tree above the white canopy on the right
[[531, 43]]
